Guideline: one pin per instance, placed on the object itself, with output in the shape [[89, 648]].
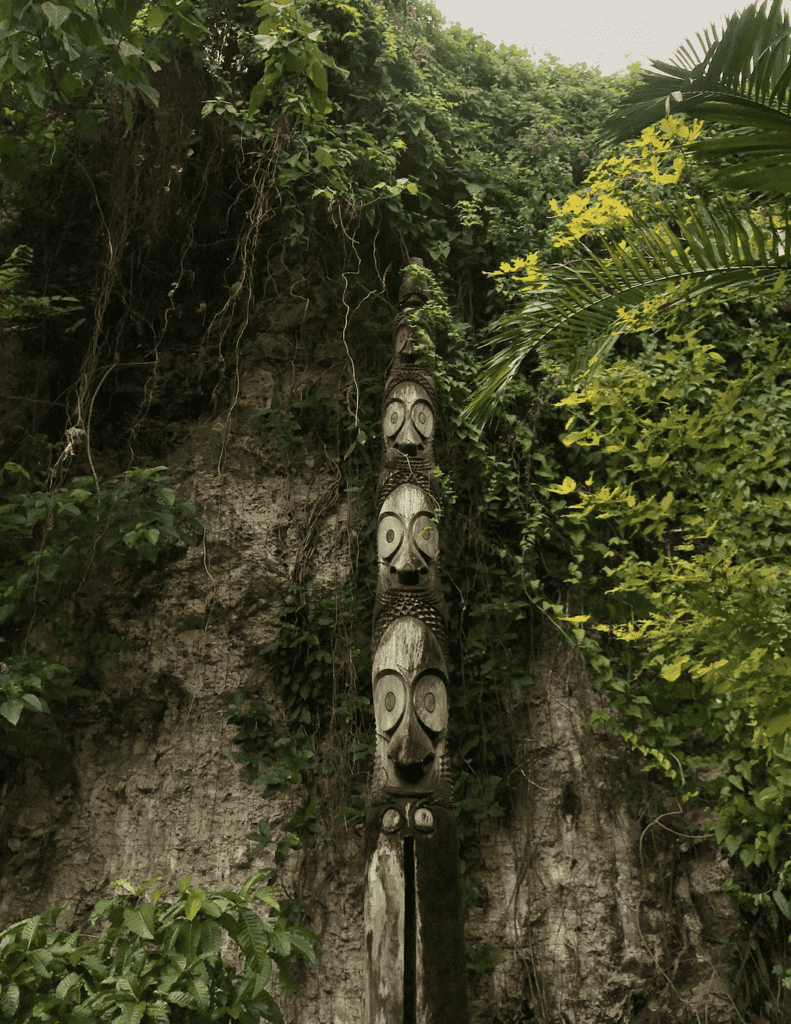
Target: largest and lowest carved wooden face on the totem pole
[[411, 706]]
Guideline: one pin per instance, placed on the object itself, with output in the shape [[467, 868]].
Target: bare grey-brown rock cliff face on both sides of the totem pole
[[600, 906]]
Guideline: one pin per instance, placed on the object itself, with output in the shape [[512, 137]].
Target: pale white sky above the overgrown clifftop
[[610, 34]]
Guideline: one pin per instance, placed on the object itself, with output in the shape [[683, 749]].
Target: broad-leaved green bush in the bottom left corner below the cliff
[[157, 960]]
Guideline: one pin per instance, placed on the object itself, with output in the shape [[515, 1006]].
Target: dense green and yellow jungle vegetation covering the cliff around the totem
[[168, 168]]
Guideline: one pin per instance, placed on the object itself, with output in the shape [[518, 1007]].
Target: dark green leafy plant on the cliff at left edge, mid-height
[[53, 541]]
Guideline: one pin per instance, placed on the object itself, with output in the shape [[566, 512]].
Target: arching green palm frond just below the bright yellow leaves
[[575, 316]]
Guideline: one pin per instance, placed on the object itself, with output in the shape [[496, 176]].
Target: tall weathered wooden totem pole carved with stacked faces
[[415, 965]]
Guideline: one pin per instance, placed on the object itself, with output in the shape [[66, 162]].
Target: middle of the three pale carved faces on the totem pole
[[408, 541]]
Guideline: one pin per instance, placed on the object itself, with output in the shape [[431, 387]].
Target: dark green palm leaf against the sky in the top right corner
[[740, 78]]
